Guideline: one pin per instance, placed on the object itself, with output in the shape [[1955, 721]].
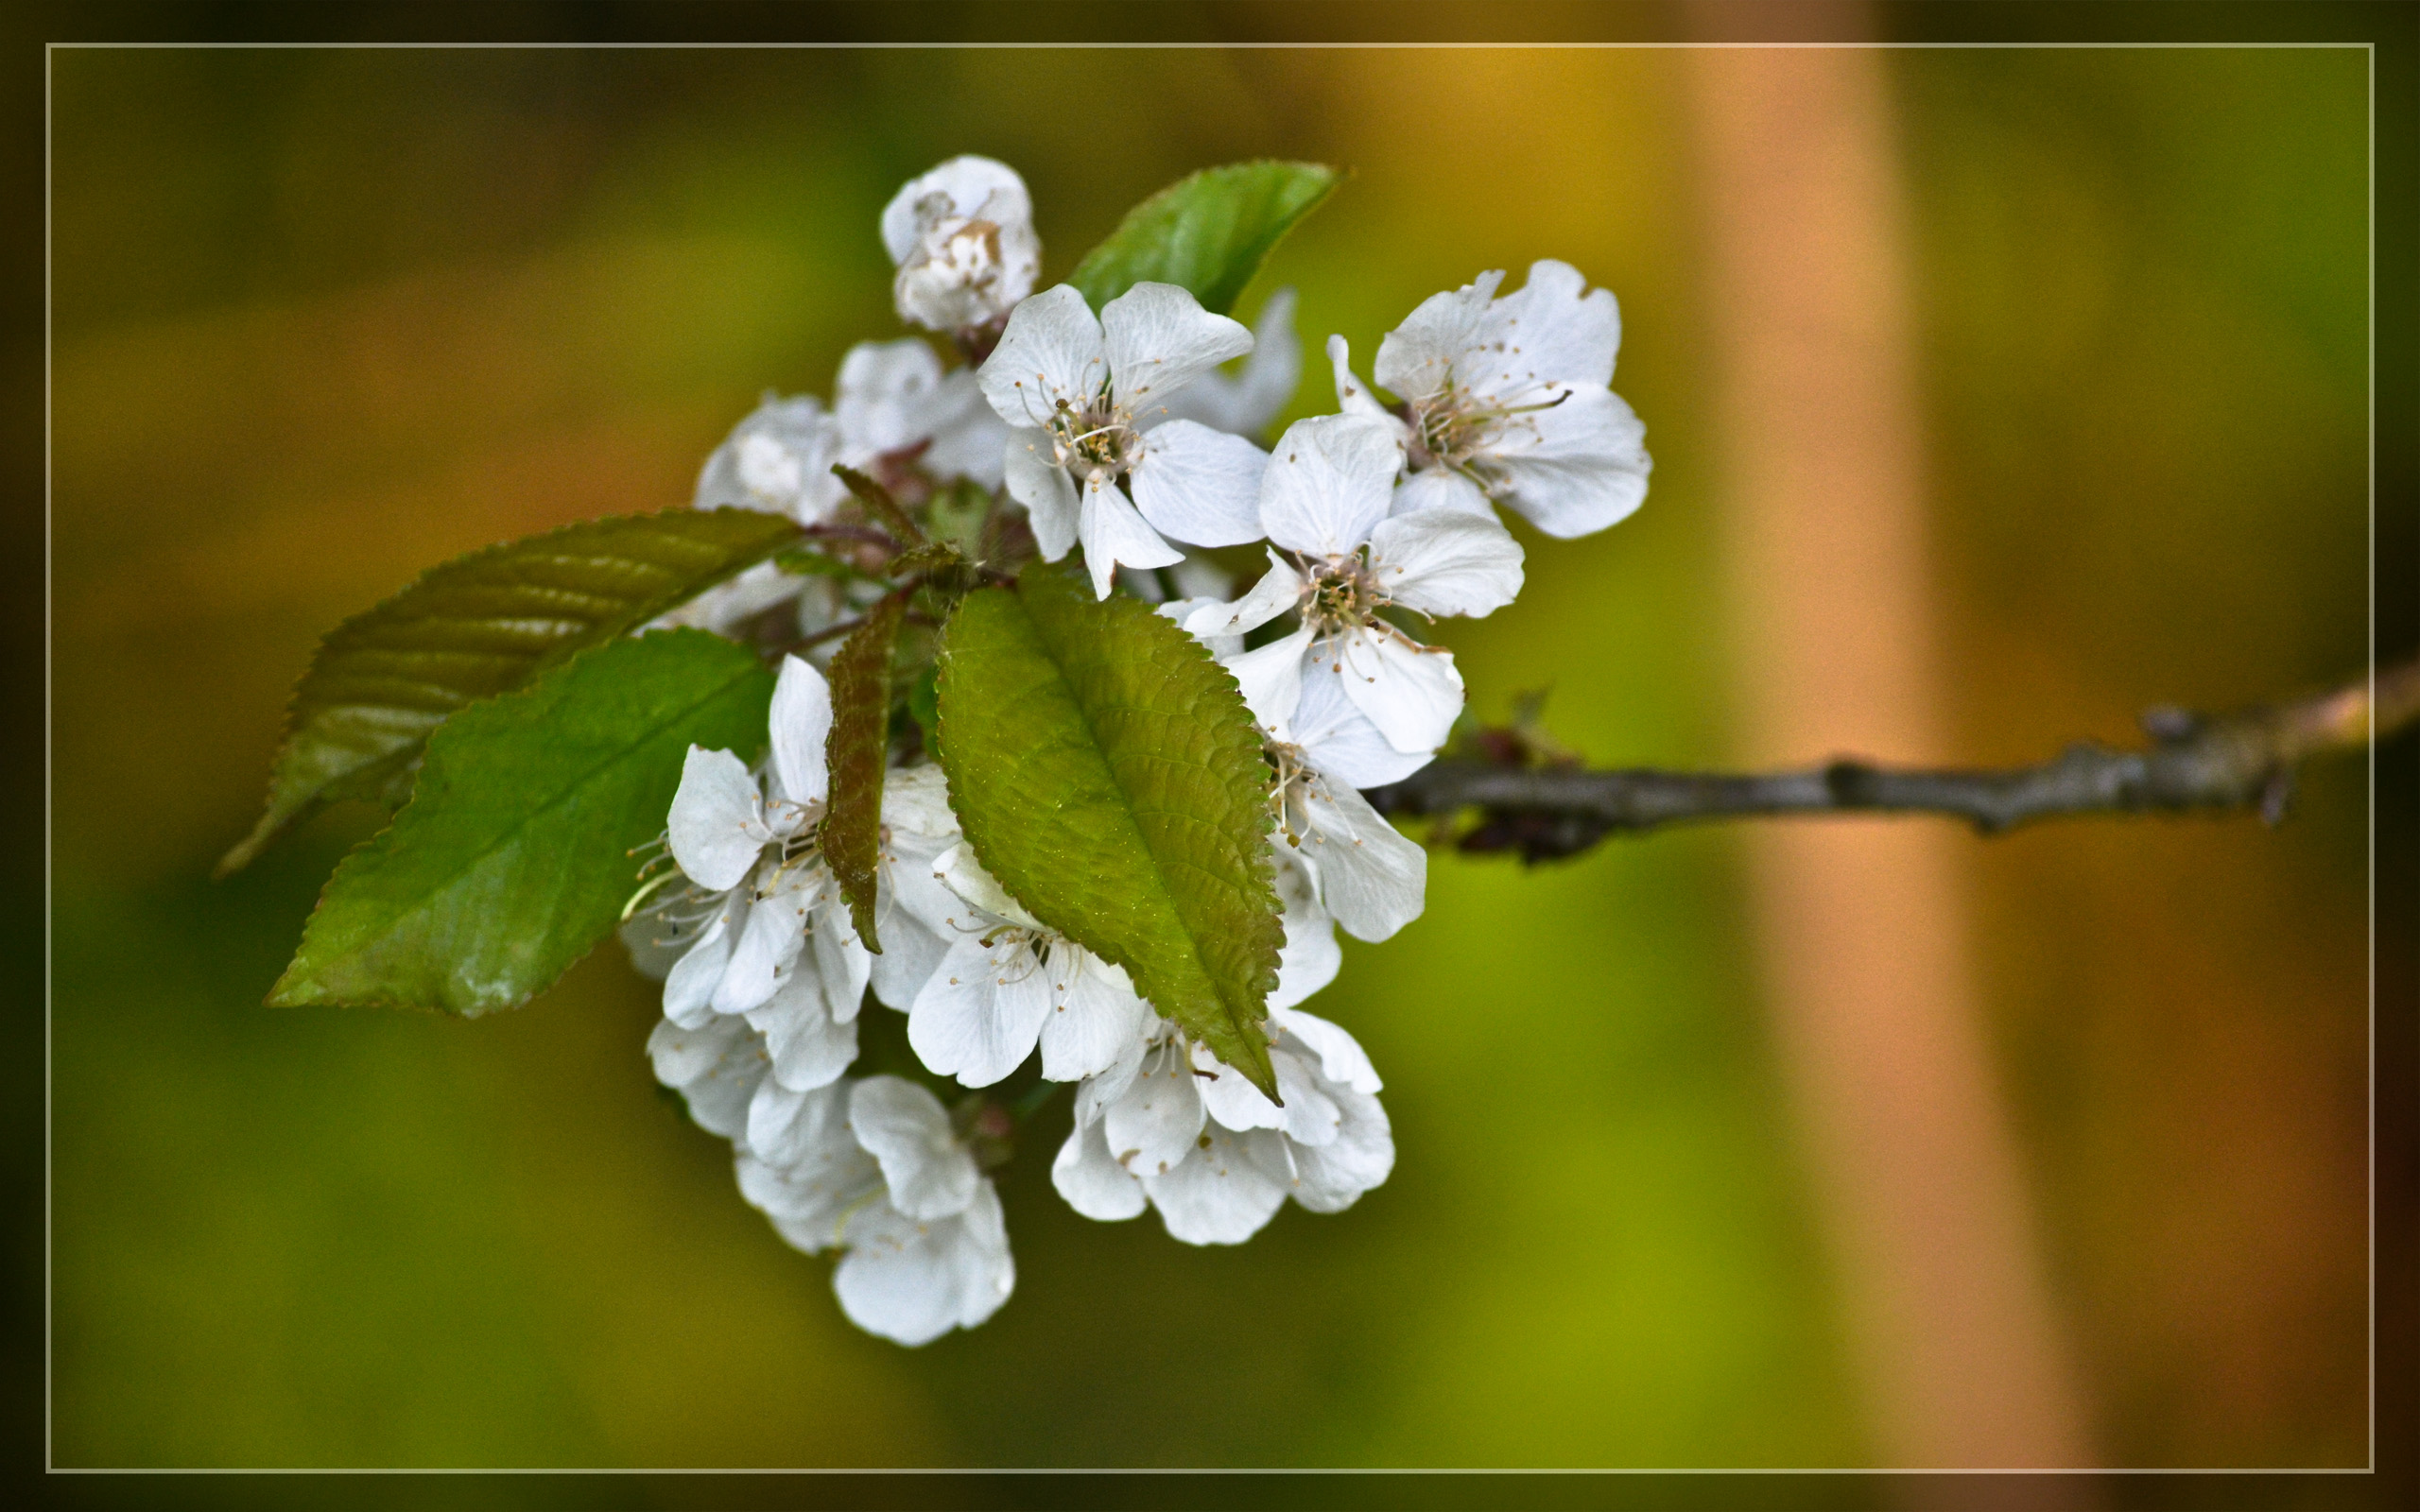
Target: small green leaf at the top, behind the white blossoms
[[1206, 233]]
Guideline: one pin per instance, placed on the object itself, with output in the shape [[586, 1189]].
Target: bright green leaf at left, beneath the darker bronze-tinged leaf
[[517, 848]]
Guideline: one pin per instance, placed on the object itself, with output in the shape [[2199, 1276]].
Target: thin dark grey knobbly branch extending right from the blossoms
[[2235, 761]]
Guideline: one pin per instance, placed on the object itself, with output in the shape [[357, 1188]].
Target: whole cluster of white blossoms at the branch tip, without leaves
[[1112, 432]]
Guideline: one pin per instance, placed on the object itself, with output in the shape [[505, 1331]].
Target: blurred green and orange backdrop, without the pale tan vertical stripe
[[330, 318]]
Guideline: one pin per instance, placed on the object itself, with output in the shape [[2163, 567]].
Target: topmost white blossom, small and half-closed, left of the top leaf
[[962, 241]]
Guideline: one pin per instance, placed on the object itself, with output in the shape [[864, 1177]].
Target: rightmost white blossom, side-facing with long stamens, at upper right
[[1511, 400]]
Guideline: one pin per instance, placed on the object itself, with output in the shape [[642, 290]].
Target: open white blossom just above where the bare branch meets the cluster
[[1325, 497]]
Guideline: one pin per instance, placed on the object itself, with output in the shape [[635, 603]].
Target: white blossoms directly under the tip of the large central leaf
[[1180, 1131]]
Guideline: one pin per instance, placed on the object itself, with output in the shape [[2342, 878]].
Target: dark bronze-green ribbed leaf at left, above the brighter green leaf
[[478, 628]]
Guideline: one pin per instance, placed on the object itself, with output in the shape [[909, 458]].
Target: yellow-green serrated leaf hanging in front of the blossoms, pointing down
[[1110, 775]]
